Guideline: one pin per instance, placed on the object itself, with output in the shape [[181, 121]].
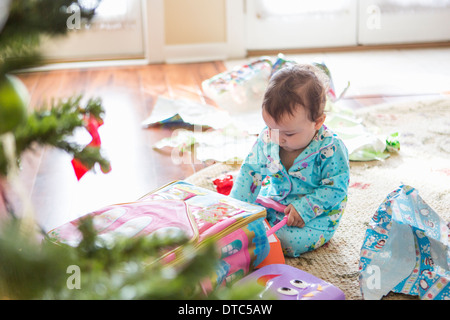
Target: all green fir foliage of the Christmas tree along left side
[[35, 268]]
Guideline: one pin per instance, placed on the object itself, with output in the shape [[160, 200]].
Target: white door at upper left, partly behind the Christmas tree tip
[[115, 33]]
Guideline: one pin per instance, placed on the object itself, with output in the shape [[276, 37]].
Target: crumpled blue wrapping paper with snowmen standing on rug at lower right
[[406, 249]]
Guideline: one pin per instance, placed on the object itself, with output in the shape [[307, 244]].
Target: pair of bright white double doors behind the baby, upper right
[[292, 24]]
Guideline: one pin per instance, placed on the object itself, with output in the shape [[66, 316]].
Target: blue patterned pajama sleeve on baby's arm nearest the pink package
[[248, 181]]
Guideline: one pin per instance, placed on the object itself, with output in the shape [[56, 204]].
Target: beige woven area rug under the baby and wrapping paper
[[423, 162]]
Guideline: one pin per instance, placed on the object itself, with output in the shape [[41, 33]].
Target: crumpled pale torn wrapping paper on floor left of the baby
[[231, 139]]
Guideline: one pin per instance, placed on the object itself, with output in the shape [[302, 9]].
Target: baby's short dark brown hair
[[297, 84]]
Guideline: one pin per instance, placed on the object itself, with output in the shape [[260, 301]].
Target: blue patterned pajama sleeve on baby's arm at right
[[333, 184]]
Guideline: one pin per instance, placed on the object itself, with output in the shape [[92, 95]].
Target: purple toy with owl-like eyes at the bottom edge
[[284, 282]]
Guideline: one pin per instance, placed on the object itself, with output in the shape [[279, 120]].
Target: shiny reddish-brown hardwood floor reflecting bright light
[[128, 95]]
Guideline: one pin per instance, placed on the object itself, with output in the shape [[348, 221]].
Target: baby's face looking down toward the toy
[[293, 132]]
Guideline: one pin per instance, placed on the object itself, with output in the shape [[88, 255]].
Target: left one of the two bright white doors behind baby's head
[[293, 24]]
